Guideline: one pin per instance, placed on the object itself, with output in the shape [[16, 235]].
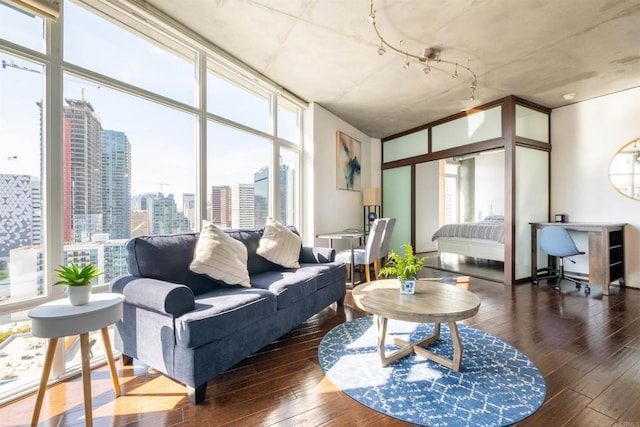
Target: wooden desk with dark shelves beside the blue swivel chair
[[606, 250]]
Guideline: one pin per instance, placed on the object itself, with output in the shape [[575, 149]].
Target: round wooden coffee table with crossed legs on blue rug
[[432, 302]]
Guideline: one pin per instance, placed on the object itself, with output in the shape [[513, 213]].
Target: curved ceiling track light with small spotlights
[[427, 57]]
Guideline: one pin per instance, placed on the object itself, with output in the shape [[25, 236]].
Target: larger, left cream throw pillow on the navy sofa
[[220, 256]]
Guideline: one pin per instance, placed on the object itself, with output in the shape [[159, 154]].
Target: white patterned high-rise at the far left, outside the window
[[20, 212]]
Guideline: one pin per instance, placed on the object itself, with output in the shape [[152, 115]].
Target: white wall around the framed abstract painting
[[332, 209]]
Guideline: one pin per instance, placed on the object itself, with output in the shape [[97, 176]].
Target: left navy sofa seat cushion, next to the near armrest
[[222, 312]]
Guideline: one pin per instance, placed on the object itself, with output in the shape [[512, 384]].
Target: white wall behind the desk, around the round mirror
[[585, 136]]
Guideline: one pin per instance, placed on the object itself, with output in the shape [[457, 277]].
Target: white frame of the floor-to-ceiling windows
[[151, 20]]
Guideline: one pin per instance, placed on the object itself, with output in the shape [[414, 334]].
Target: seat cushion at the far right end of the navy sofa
[[289, 286]]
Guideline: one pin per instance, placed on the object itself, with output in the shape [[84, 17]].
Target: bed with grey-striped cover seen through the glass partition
[[482, 239]]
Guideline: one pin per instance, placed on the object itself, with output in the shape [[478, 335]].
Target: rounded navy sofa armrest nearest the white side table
[[157, 295]]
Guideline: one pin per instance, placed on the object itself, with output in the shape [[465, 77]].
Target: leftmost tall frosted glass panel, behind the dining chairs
[[396, 203]]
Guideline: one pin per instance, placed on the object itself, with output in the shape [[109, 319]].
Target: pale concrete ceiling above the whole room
[[325, 52]]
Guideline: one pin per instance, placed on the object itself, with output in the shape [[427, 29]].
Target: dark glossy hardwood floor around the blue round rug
[[587, 347]]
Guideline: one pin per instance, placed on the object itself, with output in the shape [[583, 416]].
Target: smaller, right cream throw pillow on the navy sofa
[[280, 245]]
